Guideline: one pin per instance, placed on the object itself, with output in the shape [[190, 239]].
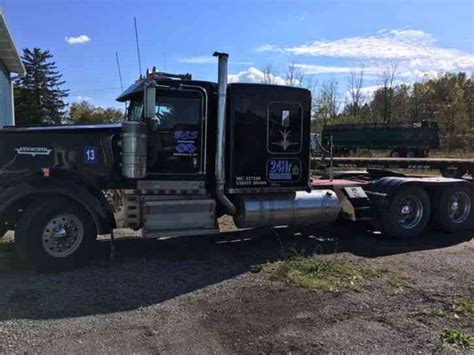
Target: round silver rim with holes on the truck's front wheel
[[62, 235]]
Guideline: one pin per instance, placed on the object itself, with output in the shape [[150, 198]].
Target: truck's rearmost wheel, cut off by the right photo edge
[[448, 219]]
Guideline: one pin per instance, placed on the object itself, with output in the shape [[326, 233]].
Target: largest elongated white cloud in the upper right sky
[[415, 51]]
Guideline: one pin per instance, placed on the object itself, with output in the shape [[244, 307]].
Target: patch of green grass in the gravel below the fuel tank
[[316, 273]]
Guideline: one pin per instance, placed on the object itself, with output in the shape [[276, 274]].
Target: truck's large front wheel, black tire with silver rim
[[50, 250]]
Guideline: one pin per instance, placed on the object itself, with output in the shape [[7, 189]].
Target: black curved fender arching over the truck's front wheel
[[89, 197]]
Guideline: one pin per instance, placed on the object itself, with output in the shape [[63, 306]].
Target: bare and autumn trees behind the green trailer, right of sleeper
[[447, 99]]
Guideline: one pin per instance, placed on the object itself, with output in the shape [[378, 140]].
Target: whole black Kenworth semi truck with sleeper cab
[[189, 152]]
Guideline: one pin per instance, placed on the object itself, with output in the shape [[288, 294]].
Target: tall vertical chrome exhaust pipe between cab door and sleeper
[[221, 126]]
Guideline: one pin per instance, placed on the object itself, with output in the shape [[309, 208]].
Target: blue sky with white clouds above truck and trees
[[325, 39]]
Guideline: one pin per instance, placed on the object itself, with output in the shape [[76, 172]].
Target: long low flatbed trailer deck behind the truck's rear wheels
[[446, 166]]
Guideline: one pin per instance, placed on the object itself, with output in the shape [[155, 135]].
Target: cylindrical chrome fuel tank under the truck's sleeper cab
[[298, 208]]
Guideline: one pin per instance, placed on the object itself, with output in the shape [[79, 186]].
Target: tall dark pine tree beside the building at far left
[[38, 95]]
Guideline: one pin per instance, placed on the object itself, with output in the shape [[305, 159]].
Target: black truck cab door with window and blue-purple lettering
[[177, 145]]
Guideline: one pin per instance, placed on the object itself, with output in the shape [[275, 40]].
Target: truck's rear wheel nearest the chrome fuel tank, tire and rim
[[396, 223]]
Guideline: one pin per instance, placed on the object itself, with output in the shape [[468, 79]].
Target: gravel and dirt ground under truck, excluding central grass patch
[[199, 295]]
